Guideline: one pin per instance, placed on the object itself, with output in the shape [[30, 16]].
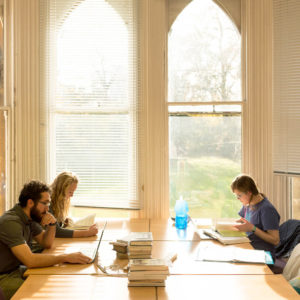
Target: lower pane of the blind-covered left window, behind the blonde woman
[[96, 148]]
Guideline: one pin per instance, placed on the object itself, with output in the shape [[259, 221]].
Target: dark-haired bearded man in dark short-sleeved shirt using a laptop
[[28, 219]]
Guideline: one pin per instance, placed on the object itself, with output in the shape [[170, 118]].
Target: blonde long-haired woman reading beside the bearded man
[[63, 188]]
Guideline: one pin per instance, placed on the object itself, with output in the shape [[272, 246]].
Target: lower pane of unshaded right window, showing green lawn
[[205, 156]]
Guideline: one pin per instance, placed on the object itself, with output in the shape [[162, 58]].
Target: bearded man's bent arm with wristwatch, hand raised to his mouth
[[46, 237]]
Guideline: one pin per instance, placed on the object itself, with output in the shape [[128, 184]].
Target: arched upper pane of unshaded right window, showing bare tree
[[204, 58]]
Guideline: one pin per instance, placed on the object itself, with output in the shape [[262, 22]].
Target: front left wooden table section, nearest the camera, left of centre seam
[[81, 287]]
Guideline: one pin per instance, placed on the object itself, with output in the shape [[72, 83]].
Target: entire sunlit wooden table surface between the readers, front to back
[[189, 279]]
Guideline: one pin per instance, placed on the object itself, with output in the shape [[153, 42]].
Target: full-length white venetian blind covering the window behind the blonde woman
[[90, 82]]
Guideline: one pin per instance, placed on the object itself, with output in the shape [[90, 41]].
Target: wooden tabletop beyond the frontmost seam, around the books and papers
[[185, 249]]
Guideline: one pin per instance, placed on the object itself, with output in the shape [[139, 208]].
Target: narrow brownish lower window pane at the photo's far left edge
[[3, 140]]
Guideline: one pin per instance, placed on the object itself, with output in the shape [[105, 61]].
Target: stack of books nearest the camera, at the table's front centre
[[147, 272]]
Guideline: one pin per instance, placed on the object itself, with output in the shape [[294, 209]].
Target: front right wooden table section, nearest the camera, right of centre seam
[[233, 287]]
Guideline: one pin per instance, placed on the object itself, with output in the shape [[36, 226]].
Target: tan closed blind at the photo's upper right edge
[[286, 124]]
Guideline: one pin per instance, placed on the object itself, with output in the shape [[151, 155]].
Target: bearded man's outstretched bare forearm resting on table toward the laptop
[[35, 260]]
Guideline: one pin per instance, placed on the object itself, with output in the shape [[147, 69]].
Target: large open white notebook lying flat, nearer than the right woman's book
[[233, 254]]
